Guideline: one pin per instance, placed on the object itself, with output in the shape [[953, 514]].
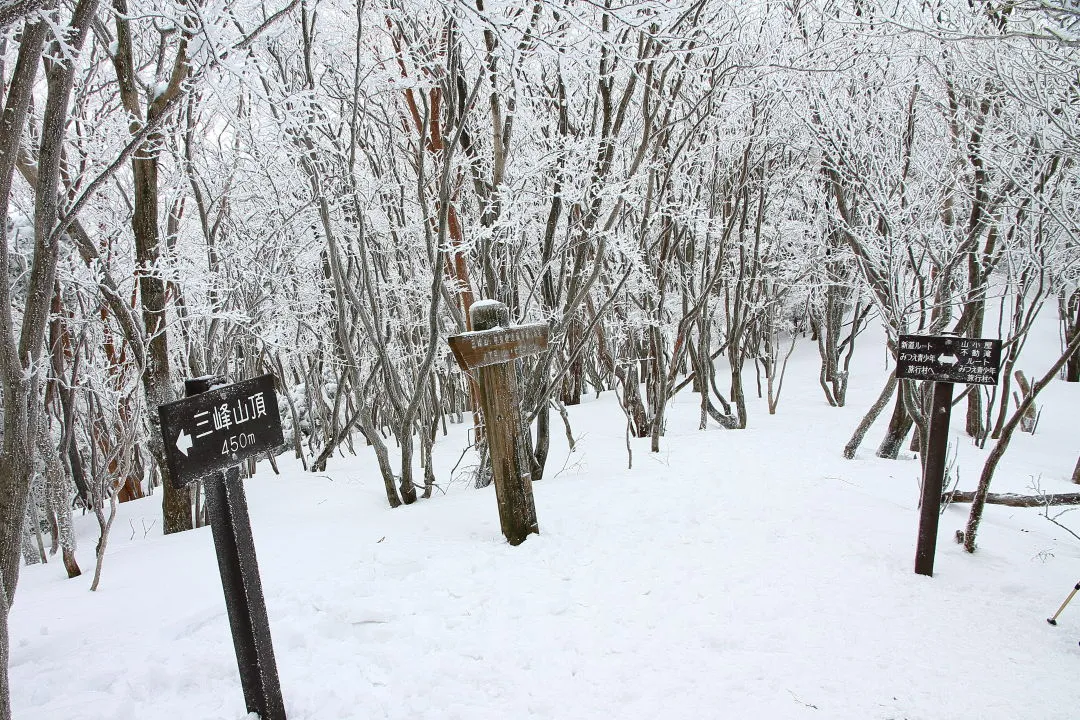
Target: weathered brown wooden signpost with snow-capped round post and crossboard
[[489, 352]]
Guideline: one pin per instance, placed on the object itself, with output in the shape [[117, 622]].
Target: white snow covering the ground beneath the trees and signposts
[[735, 575]]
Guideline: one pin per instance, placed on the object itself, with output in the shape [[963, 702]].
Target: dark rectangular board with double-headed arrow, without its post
[[947, 359]]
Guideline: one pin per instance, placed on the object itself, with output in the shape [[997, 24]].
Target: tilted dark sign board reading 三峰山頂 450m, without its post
[[220, 428]]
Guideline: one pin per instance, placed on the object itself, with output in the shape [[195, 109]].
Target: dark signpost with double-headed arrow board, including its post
[[944, 360]]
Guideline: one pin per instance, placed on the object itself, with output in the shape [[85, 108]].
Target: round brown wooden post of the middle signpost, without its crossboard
[[501, 404]]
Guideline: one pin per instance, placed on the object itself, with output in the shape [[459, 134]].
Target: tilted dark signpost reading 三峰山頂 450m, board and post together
[[207, 438]]
